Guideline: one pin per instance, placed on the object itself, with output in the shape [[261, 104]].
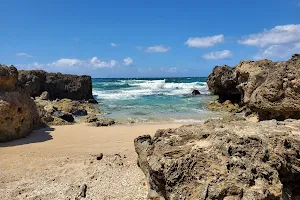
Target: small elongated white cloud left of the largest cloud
[[204, 41]]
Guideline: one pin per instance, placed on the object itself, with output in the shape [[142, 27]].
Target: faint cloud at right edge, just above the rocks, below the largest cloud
[[278, 51]]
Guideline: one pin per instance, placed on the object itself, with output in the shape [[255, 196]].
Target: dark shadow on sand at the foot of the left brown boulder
[[39, 135]]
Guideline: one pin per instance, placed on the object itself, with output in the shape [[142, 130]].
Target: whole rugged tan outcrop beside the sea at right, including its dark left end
[[270, 89]]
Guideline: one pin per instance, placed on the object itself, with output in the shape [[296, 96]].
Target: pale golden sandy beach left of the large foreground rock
[[55, 162]]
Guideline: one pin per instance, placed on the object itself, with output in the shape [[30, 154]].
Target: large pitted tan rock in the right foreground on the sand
[[223, 159]]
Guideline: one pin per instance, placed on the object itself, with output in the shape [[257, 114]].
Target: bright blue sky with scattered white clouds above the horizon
[[140, 38]]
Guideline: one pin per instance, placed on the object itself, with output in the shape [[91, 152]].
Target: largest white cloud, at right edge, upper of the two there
[[278, 35]]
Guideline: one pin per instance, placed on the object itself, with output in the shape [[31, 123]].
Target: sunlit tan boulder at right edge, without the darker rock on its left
[[271, 89]]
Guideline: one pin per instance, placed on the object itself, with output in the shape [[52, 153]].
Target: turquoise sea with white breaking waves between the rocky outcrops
[[155, 99]]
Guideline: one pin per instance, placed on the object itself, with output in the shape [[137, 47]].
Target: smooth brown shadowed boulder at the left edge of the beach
[[18, 112]]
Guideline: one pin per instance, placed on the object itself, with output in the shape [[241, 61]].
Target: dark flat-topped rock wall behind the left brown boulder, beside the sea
[[57, 85]]
